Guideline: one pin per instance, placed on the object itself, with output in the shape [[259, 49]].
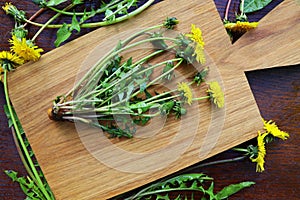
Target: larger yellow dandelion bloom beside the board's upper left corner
[[25, 49]]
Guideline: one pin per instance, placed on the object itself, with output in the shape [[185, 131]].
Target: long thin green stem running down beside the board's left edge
[[19, 136]]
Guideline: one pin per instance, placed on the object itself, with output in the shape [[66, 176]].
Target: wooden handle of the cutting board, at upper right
[[275, 42]]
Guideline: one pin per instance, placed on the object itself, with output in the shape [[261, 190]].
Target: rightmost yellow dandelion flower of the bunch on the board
[[216, 94]]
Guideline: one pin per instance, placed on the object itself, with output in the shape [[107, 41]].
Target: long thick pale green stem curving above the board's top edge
[[99, 24]]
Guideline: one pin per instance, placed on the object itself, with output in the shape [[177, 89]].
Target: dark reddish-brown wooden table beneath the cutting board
[[277, 93]]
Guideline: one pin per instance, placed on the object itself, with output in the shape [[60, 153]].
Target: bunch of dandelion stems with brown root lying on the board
[[113, 87]]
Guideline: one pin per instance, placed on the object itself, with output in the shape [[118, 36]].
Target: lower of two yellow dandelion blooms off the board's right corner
[[260, 159]]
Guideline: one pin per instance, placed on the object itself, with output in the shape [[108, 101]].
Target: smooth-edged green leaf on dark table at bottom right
[[232, 189]]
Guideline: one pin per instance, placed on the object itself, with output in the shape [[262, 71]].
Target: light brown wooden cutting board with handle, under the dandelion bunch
[[80, 163]]
